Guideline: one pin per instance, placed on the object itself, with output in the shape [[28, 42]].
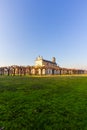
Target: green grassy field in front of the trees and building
[[43, 103]]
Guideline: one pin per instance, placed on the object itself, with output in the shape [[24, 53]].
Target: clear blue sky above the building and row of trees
[[29, 28]]
